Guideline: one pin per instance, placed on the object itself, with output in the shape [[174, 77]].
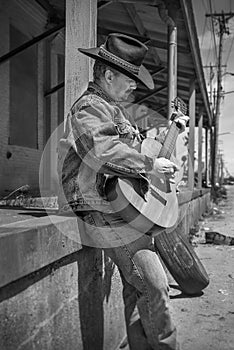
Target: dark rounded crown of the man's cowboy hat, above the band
[[126, 48]]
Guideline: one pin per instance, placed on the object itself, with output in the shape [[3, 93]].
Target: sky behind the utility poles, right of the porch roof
[[208, 53]]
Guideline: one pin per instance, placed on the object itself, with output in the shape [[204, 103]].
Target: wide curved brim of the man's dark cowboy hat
[[143, 75]]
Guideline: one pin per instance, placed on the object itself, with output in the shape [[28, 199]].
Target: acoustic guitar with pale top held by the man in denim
[[158, 205]]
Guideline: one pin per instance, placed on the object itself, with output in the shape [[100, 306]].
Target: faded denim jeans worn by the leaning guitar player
[[145, 287]]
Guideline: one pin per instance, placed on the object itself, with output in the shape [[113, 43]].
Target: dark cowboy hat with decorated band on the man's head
[[125, 54]]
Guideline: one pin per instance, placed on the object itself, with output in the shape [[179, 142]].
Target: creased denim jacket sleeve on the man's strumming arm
[[94, 136]]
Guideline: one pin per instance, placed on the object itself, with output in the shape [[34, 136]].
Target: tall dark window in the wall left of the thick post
[[23, 93]]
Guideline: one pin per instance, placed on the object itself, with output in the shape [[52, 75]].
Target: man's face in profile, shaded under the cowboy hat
[[121, 87]]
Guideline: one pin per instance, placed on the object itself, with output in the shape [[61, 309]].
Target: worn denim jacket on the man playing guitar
[[99, 141]]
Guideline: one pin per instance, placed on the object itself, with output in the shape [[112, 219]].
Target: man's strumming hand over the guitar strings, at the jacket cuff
[[164, 166]]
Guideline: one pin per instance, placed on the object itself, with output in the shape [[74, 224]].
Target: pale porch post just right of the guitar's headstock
[[192, 101]]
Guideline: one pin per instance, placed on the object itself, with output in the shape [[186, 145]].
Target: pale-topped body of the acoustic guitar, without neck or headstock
[[158, 207]]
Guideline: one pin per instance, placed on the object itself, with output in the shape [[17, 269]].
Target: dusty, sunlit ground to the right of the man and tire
[[206, 322]]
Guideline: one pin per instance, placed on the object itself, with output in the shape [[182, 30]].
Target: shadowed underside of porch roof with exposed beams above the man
[[147, 21]]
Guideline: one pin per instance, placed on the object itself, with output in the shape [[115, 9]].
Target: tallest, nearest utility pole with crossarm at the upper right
[[222, 19]]
